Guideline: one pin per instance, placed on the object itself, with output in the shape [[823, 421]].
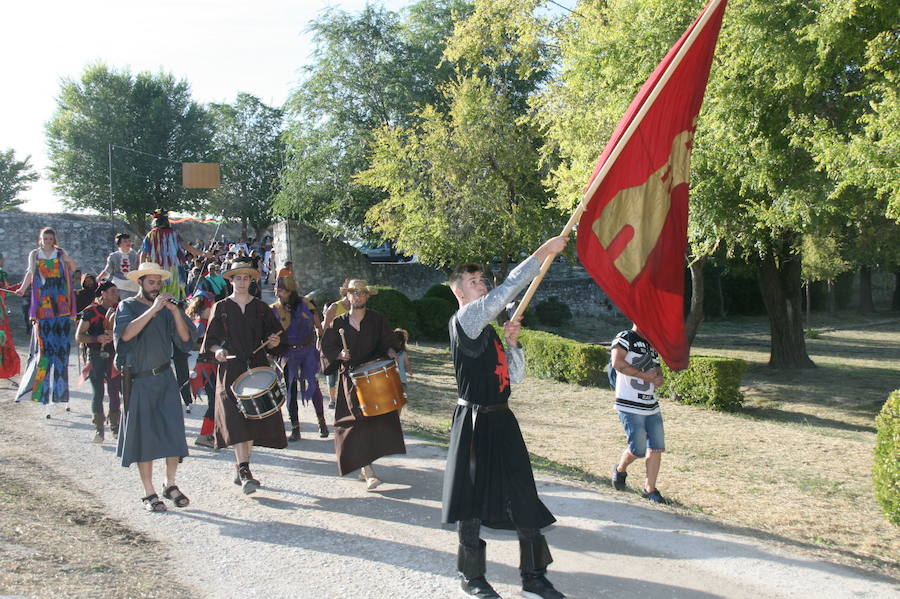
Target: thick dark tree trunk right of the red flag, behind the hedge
[[780, 284]]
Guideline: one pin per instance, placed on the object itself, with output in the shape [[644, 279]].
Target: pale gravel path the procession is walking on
[[310, 533]]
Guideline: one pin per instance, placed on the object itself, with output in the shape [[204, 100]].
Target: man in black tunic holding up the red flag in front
[[488, 478]]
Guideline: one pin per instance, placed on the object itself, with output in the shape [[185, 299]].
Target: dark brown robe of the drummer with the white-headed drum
[[240, 333]]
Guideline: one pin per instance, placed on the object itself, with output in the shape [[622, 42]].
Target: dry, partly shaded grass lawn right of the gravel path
[[794, 462]]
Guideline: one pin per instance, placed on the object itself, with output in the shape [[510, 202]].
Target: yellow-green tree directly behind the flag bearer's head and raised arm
[[461, 186]]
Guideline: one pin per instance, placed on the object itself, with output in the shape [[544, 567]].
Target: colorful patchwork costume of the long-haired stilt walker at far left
[[52, 308]]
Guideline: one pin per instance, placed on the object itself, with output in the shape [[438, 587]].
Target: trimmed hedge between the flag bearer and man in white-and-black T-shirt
[[553, 357]]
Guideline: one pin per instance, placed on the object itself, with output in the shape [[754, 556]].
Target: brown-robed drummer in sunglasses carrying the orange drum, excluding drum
[[360, 440]]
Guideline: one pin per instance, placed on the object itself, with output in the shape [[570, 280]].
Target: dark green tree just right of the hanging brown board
[[247, 141]]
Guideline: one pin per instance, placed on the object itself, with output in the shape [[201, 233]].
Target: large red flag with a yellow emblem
[[632, 236]]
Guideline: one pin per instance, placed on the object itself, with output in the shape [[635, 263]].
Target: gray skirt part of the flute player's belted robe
[[154, 424]]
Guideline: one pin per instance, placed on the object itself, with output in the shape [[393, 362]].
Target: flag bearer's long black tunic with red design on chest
[[488, 473]]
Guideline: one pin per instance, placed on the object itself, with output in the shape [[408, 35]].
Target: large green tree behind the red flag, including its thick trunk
[[755, 185]]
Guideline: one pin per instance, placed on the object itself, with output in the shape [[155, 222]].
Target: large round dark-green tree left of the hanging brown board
[[154, 126]]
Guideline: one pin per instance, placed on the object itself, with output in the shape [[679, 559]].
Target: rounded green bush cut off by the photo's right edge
[[886, 468]]
